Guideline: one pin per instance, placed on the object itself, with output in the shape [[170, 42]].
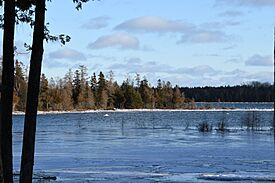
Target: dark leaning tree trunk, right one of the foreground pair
[[27, 160]]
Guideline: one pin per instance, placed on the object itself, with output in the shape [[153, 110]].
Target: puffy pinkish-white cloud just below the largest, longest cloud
[[120, 40]]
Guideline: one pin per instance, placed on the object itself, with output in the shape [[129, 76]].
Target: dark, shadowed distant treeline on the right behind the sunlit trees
[[251, 92]]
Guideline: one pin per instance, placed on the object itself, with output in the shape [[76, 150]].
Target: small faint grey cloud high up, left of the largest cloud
[[96, 23]]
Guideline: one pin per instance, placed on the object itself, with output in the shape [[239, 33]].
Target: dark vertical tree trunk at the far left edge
[[7, 90]]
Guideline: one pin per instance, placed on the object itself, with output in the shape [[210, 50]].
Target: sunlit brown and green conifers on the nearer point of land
[[79, 91]]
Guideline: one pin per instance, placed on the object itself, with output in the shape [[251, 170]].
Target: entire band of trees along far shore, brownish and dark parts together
[[79, 91]]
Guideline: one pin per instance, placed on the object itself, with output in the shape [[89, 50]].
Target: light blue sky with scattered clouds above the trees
[[187, 42]]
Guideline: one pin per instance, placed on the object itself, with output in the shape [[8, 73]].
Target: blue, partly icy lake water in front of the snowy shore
[[161, 146]]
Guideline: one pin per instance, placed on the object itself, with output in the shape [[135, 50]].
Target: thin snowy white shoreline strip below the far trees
[[145, 110]]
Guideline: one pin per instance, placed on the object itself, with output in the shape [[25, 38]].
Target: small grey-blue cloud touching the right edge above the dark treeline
[[259, 60]]
